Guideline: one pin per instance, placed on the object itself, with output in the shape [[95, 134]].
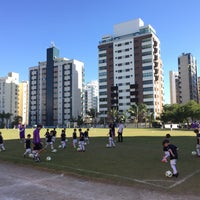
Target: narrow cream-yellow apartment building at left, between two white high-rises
[[23, 101]]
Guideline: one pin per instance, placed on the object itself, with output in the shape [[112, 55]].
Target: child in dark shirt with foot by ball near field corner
[[172, 149]]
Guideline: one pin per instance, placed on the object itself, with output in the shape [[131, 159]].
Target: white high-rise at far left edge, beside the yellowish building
[[9, 94]]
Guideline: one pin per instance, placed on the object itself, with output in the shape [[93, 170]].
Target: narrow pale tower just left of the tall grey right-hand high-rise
[[174, 87]]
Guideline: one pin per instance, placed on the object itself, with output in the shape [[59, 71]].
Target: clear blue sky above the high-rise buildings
[[76, 26]]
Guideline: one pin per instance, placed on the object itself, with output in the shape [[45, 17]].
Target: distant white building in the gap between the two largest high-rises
[[92, 96]]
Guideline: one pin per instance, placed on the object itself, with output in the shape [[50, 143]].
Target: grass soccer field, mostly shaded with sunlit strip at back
[[136, 161]]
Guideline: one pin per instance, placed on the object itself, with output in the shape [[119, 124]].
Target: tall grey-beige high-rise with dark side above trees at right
[[187, 68]]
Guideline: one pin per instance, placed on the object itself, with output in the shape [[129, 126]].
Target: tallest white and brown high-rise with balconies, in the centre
[[130, 69]]
